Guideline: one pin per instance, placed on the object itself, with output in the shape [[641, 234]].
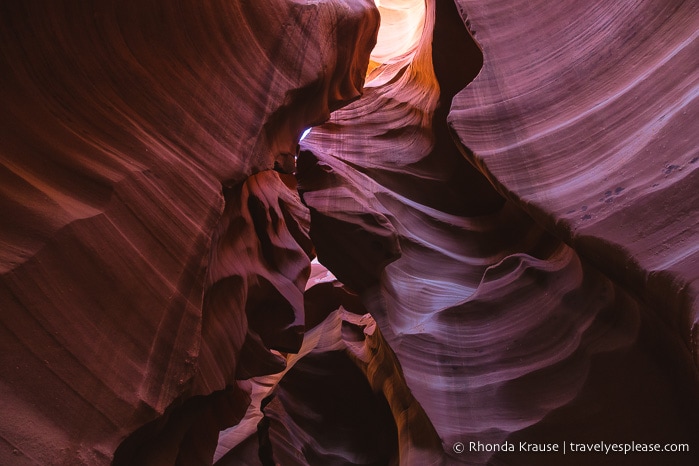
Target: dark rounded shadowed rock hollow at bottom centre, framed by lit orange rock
[[345, 422]]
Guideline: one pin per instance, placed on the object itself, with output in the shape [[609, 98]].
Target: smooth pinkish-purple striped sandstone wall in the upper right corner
[[587, 129]]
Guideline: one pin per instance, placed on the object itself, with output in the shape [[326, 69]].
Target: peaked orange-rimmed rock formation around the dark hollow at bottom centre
[[358, 408]]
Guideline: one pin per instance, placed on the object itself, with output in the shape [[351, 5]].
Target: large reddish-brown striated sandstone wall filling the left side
[[121, 127]]
